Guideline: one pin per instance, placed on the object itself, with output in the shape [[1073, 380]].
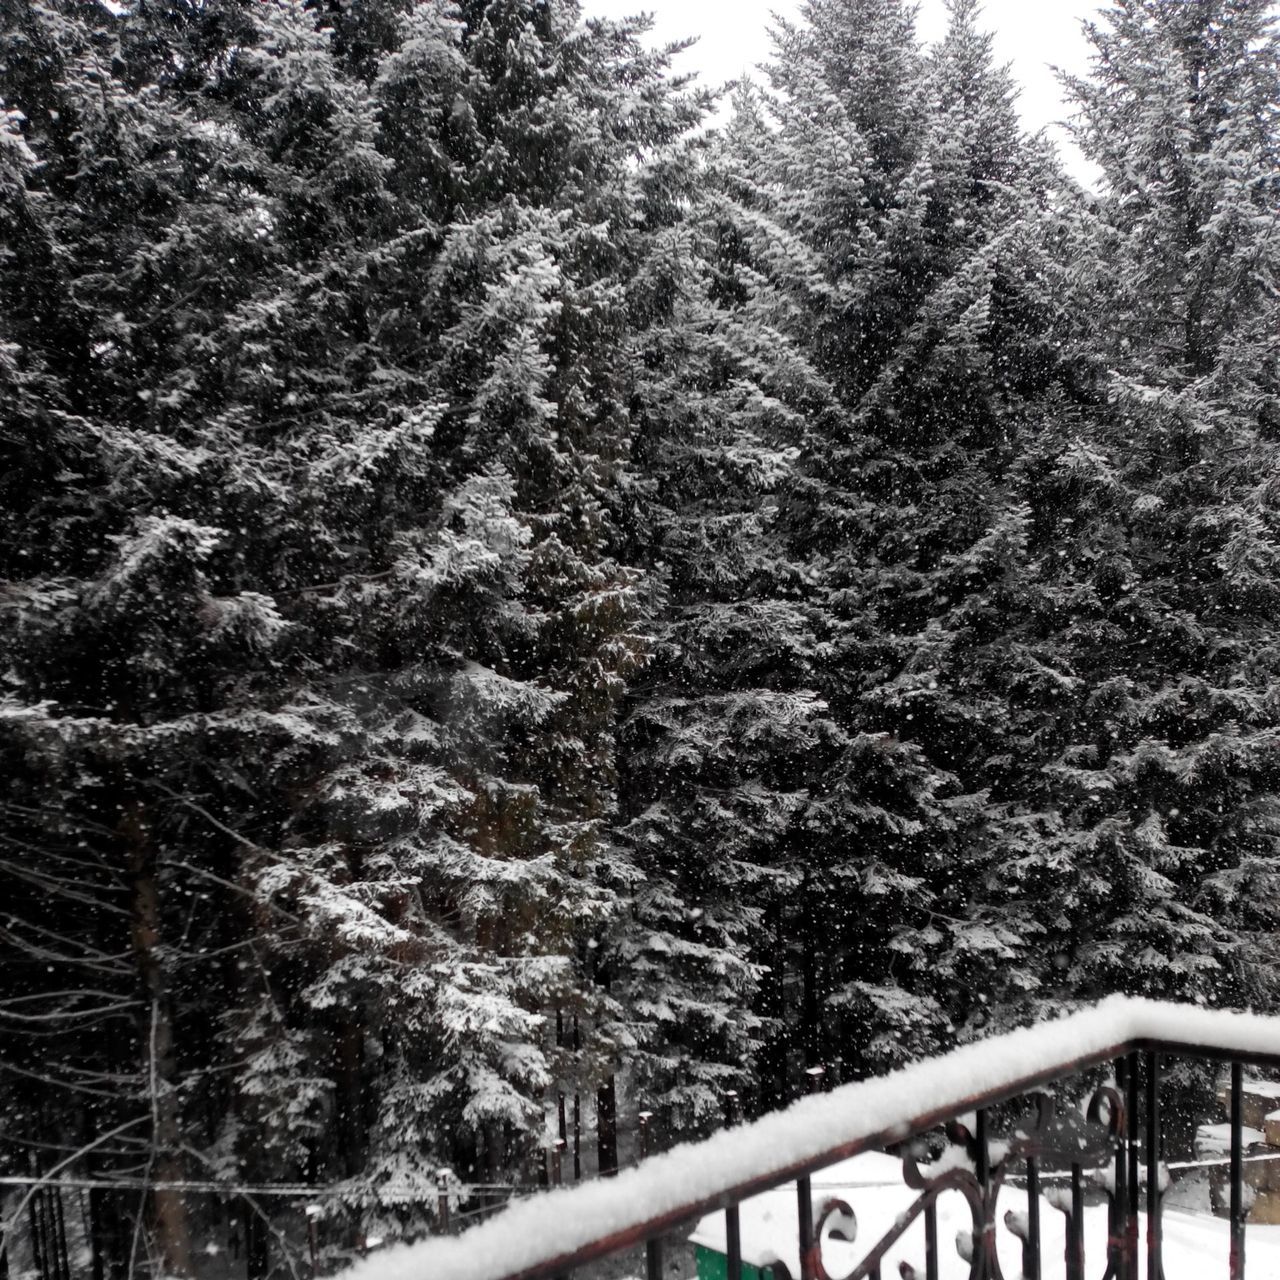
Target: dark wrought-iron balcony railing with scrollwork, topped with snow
[[1009, 1135]]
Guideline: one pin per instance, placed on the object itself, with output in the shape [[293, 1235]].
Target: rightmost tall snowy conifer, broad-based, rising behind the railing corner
[[1119, 679]]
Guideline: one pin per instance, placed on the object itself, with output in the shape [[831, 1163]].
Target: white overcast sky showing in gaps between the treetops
[[1031, 35]]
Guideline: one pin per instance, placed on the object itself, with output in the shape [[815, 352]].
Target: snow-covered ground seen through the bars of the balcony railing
[[1196, 1245]]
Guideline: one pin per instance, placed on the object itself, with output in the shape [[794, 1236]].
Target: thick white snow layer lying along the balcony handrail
[[694, 1180]]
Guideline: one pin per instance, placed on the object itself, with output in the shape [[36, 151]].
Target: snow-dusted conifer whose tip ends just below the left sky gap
[[724, 729]]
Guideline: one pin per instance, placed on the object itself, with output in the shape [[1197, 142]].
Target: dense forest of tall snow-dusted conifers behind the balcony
[[523, 573]]
